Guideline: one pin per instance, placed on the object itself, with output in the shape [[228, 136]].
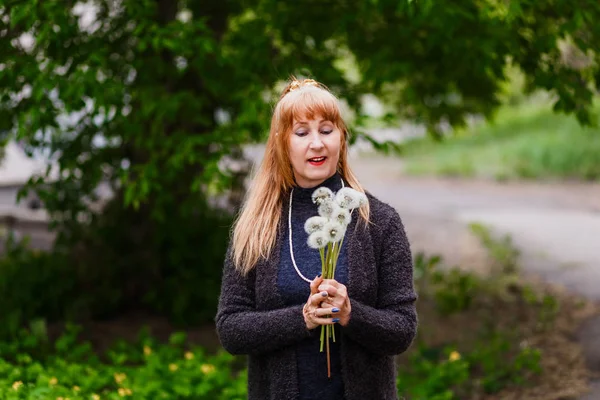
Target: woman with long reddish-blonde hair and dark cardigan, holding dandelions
[[273, 303]]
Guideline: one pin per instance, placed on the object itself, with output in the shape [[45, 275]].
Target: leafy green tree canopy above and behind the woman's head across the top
[[148, 78]]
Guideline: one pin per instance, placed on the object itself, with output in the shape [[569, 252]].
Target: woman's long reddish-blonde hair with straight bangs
[[255, 230]]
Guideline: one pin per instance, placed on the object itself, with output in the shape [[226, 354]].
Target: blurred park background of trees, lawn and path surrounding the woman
[[130, 130]]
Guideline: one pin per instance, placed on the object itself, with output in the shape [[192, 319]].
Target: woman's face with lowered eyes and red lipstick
[[314, 150]]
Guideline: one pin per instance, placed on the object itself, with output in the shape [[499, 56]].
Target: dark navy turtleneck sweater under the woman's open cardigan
[[313, 382]]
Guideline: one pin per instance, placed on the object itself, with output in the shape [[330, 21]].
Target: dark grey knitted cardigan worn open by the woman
[[252, 318]]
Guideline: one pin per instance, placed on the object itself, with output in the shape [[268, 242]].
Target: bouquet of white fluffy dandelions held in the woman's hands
[[326, 233]]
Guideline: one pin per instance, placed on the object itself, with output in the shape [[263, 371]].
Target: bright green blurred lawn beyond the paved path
[[529, 141]]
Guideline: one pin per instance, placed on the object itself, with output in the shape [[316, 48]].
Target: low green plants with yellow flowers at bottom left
[[142, 370]]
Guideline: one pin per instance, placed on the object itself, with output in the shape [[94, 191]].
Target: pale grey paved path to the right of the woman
[[557, 226]]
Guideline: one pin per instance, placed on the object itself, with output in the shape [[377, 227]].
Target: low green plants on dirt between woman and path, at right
[[496, 357]]
